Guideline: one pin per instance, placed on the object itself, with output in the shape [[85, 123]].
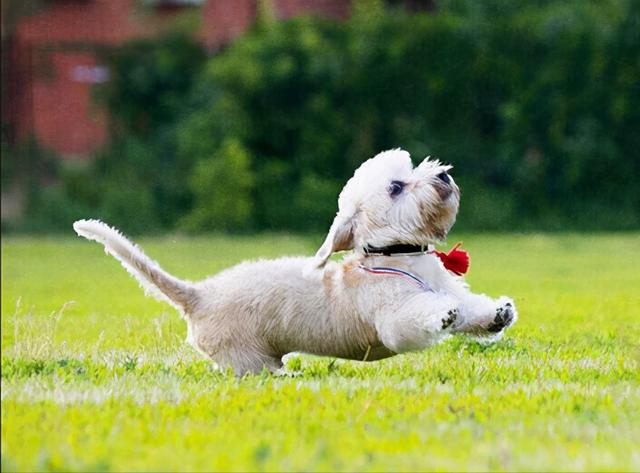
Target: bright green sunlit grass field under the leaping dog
[[106, 383]]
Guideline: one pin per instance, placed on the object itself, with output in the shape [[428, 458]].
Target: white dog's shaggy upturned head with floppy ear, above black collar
[[388, 201]]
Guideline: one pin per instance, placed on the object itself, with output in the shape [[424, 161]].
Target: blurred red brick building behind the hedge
[[50, 56]]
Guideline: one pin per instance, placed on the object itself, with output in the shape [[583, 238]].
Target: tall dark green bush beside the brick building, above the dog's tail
[[148, 93]]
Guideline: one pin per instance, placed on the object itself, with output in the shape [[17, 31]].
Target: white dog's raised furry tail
[[153, 279]]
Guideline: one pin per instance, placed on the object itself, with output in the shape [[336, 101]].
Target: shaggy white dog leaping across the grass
[[373, 304]]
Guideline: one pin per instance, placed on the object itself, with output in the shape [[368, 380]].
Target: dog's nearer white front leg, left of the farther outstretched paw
[[418, 322]]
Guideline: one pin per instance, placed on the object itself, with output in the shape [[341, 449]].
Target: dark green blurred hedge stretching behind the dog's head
[[535, 103]]
